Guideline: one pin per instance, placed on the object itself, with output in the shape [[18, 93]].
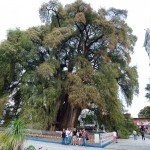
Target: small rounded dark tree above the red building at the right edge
[[145, 112]]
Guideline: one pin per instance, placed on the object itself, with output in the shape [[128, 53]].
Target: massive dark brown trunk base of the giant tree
[[67, 115]]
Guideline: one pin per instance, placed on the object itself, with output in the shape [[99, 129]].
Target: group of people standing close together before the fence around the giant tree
[[74, 137]]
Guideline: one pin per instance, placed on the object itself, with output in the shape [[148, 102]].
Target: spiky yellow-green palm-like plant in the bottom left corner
[[13, 136]]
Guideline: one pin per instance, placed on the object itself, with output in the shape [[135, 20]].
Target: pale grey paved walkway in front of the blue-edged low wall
[[123, 144]]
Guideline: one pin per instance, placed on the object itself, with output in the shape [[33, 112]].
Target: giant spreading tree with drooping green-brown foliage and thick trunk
[[77, 58]]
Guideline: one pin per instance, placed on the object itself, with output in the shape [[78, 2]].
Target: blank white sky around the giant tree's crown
[[24, 14]]
